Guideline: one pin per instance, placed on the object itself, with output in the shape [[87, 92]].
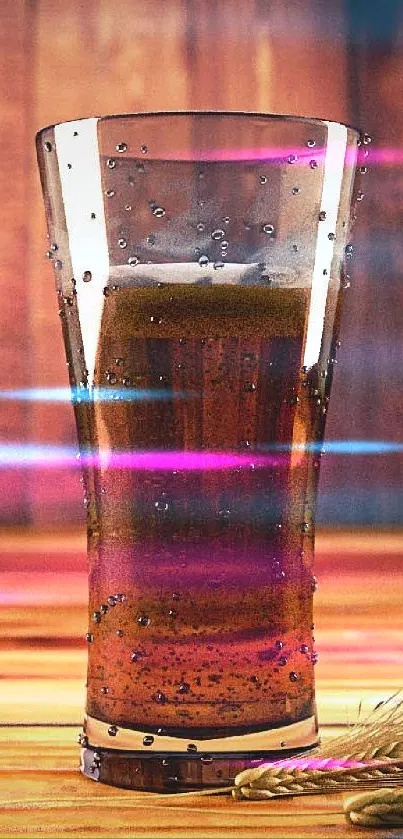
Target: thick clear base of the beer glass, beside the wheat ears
[[171, 771]]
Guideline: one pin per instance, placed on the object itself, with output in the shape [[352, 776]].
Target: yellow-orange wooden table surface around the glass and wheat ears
[[359, 623]]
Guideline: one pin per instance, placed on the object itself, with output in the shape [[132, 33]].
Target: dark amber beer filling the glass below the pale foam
[[201, 513]]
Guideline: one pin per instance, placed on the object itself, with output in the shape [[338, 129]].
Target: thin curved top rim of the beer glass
[[270, 117]]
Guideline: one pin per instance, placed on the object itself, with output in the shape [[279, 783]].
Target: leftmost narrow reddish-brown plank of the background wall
[[15, 367]]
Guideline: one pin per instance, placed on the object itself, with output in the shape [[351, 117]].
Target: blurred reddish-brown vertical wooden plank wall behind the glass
[[61, 59]]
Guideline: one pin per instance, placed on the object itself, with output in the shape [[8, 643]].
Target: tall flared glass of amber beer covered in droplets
[[200, 262]]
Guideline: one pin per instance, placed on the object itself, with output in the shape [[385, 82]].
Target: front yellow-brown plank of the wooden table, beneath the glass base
[[42, 793]]
